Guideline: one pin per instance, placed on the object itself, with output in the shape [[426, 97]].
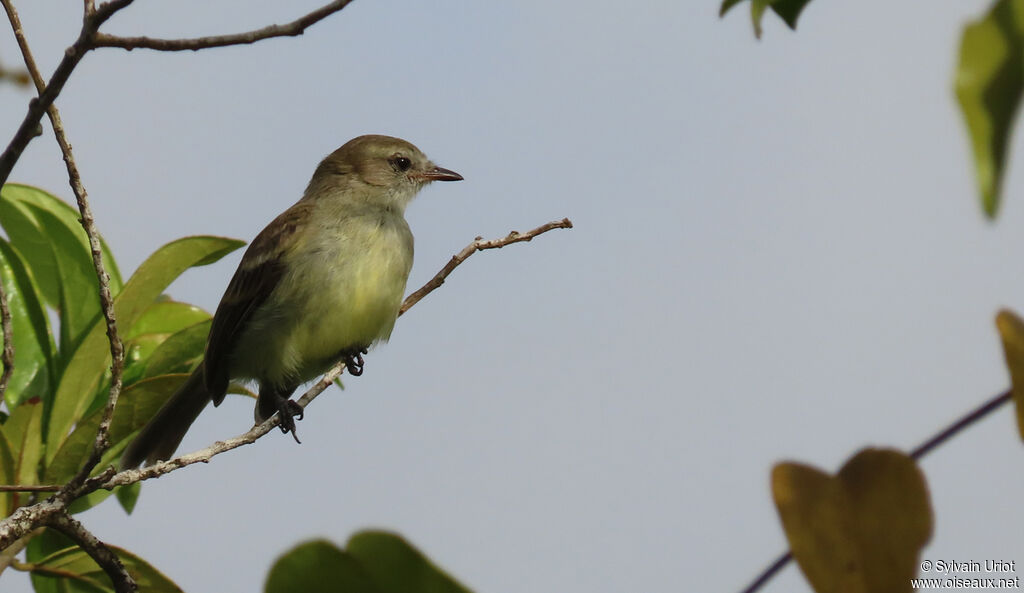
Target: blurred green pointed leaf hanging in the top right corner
[[990, 82]]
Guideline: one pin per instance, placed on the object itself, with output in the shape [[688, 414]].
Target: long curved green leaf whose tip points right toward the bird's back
[[77, 389]]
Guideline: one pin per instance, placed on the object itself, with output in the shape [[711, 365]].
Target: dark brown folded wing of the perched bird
[[257, 278]]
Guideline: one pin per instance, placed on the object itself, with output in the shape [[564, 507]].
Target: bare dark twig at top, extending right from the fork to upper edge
[[292, 29]]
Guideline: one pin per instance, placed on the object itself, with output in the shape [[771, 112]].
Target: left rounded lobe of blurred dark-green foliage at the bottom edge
[[318, 567]]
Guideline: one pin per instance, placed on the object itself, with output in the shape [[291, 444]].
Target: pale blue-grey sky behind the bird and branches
[[779, 255]]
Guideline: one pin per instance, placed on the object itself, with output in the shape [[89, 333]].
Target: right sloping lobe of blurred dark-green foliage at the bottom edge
[[397, 567]]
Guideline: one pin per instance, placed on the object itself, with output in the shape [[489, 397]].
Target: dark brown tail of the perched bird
[[161, 437]]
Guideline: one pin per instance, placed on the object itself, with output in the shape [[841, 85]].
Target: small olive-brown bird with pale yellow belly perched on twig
[[321, 284]]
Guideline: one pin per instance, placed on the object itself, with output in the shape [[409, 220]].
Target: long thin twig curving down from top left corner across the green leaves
[[106, 299]]
